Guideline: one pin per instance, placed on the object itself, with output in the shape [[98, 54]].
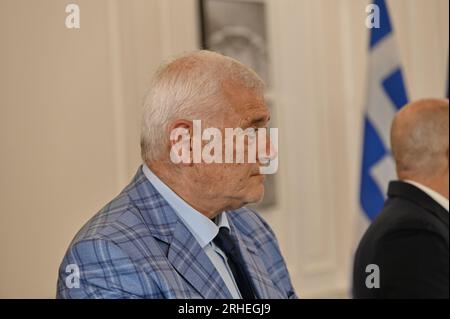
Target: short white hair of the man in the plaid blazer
[[189, 87]]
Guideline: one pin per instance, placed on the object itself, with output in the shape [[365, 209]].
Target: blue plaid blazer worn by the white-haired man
[[137, 247]]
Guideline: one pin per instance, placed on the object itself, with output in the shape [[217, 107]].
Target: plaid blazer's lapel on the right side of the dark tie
[[265, 288]]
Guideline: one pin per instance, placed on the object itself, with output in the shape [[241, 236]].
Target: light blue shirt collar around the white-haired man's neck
[[202, 228]]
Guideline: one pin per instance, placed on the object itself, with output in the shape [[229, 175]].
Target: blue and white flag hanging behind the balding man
[[386, 95]]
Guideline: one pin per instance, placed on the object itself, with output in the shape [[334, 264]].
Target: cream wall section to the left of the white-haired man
[[69, 120]]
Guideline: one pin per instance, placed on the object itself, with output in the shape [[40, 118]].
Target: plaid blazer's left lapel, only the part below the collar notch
[[192, 263]]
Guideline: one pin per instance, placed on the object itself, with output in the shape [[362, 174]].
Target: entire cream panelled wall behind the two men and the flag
[[69, 120]]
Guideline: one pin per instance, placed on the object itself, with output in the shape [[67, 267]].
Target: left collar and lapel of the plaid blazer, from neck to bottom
[[184, 252]]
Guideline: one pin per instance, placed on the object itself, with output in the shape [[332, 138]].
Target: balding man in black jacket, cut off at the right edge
[[405, 252]]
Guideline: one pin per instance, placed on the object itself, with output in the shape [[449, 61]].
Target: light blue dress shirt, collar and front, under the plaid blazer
[[202, 228]]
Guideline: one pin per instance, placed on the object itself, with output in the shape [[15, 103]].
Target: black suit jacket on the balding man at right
[[409, 243]]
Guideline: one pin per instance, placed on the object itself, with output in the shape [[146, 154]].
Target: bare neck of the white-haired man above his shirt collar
[[192, 193]]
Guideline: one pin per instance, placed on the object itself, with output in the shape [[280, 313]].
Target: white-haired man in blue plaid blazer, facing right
[[181, 229]]
